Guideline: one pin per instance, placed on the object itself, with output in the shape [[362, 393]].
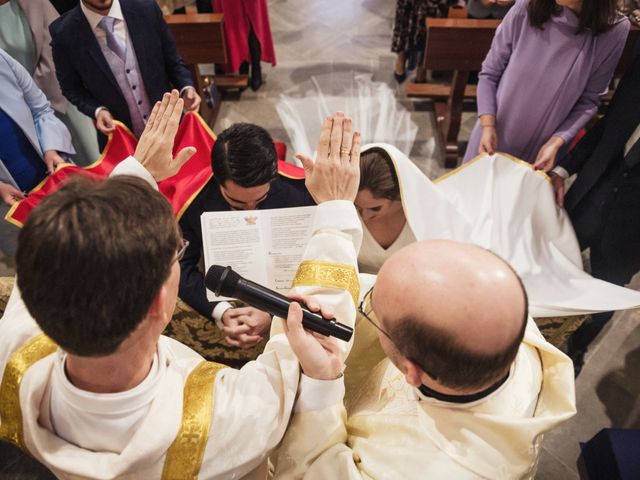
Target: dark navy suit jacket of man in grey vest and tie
[[84, 74]]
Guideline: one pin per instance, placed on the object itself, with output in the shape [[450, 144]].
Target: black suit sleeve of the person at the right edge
[[604, 144]]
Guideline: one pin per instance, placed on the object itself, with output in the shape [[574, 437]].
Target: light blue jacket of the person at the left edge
[[27, 106]]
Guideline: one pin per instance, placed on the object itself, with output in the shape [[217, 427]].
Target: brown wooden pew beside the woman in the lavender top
[[460, 46]]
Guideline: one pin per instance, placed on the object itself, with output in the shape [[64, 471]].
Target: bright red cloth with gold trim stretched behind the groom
[[180, 189]]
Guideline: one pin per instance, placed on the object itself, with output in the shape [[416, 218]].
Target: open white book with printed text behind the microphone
[[264, 246]]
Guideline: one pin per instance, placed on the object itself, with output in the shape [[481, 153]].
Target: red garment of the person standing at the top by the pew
[[239, 15]]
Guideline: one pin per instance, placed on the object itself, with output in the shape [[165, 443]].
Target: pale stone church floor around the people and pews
[[322, 36]]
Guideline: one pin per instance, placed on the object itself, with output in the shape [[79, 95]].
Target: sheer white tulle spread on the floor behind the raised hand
[[373, 106]]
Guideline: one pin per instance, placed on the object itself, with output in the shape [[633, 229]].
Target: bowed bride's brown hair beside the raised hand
[[378, 175]]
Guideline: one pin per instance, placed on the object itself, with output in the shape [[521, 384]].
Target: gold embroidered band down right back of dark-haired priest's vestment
[[185, 454]]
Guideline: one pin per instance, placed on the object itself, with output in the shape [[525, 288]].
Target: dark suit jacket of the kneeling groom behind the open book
[[283, 193]]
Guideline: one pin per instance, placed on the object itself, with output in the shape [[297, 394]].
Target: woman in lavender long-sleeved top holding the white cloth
[[549, 63]]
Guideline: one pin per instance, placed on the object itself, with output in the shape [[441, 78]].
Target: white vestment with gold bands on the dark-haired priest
[[251, 407]]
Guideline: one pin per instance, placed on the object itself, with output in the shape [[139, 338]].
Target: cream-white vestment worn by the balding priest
[[395, 432]]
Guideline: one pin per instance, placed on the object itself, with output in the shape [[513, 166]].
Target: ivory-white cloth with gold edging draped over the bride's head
[[502, 204]]
